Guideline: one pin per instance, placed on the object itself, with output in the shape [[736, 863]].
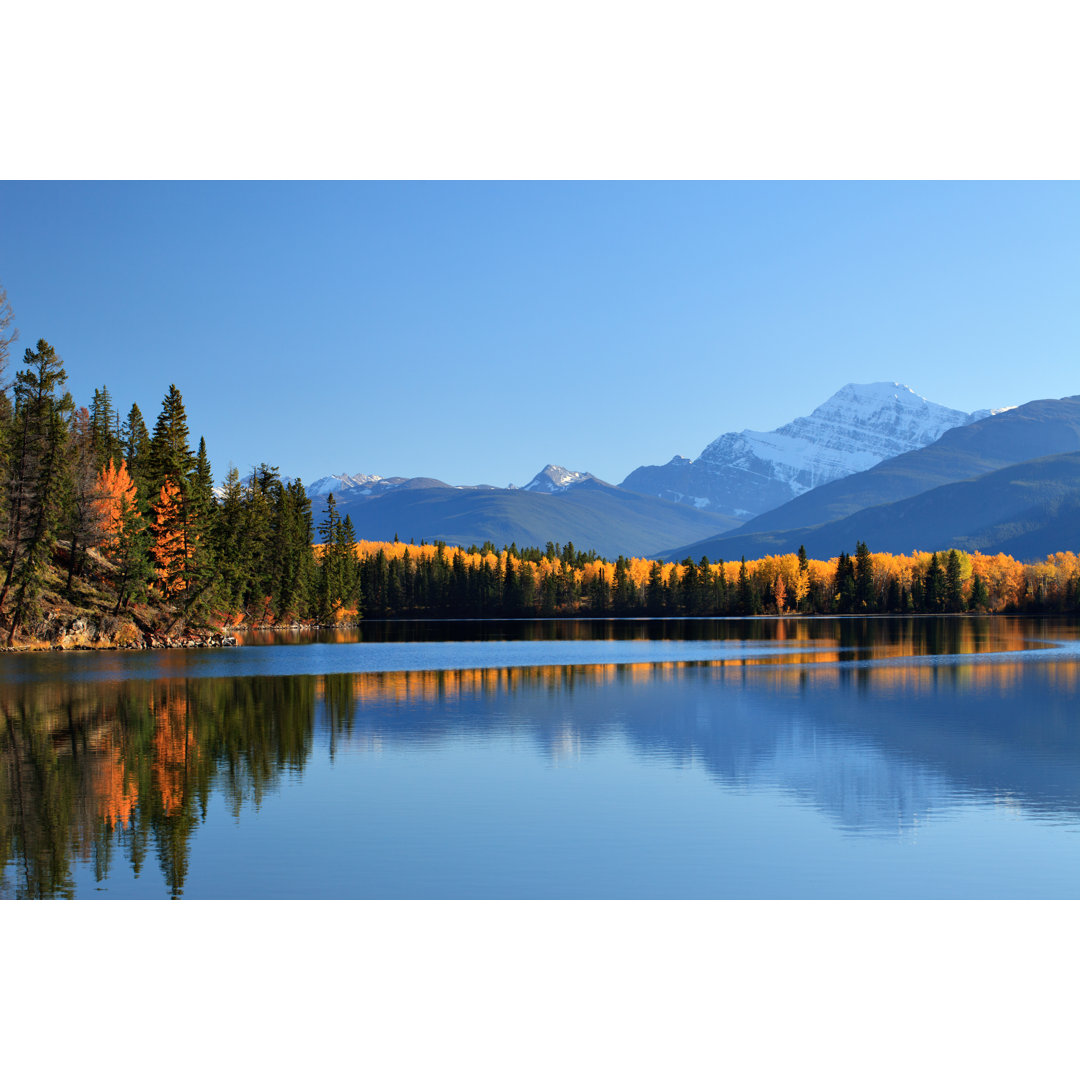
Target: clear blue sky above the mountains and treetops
[[477, 332]]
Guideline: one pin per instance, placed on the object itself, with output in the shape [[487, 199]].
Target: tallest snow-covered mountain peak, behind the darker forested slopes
[[748, 472]]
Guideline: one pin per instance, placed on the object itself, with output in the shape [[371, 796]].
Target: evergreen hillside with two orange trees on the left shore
[[103, 518]]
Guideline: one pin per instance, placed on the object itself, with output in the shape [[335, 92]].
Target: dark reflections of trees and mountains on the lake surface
[[92, 773]]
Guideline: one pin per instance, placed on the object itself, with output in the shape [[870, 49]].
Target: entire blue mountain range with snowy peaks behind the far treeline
[[874, 463]]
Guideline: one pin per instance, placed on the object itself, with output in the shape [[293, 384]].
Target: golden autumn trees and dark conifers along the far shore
[[400, 579]]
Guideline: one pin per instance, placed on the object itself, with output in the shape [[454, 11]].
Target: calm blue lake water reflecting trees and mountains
[[686, 759]]
